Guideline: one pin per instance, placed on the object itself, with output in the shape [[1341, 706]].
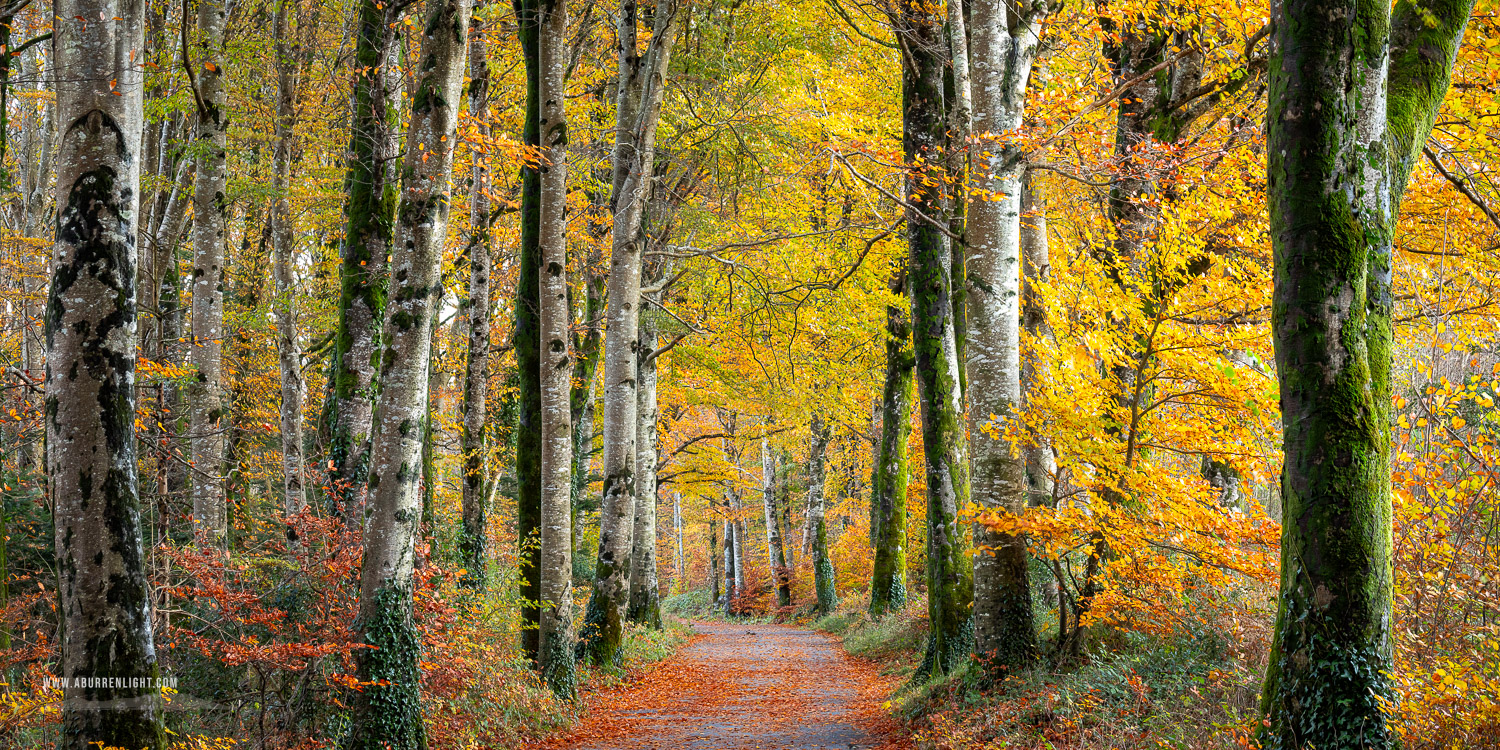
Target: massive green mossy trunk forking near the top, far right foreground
[[1354, 94]]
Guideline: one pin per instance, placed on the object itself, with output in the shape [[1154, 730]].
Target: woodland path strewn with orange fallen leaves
[[746, 688]]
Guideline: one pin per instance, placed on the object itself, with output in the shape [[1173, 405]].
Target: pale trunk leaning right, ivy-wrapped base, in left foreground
[[388, 713]]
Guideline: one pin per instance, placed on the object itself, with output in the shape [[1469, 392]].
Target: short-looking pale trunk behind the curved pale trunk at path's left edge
[[646, 607]]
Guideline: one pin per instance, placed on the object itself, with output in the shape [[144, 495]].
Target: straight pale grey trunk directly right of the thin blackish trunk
[[556, 653]]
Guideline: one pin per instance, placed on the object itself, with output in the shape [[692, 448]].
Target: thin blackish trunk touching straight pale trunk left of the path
[[527, 340]]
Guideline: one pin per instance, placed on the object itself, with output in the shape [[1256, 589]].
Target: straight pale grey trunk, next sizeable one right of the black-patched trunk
[[208, 416]]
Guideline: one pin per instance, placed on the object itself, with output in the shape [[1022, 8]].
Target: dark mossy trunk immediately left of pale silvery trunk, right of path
[[950, 571]]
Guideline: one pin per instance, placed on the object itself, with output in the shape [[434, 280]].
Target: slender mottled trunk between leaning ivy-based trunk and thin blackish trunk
[[475, 541]]
